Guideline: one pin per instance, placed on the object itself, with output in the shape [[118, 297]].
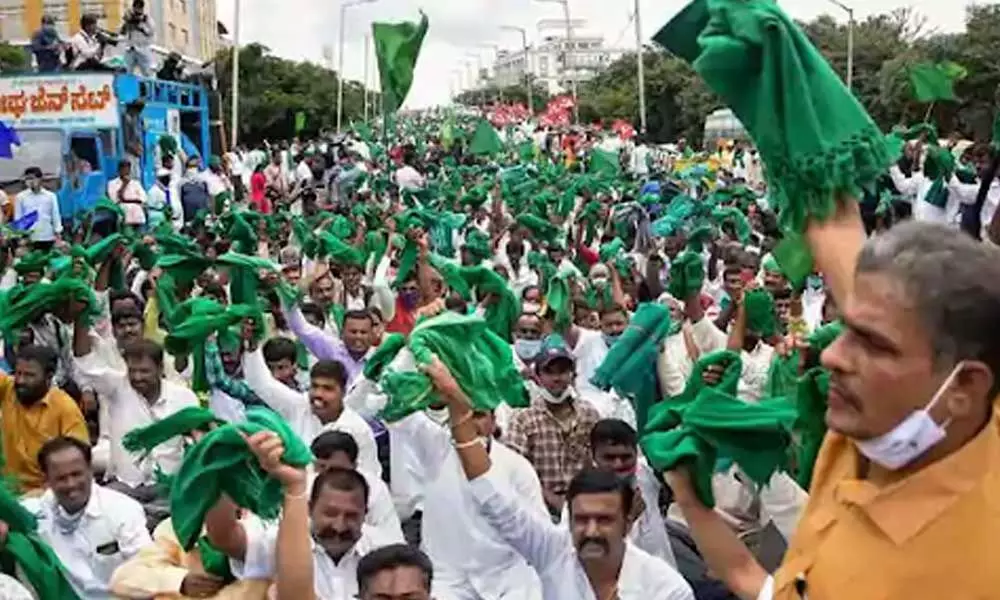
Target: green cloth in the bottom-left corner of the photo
[[25, 548]]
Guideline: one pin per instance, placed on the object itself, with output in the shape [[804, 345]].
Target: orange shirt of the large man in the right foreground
[[929, 536]]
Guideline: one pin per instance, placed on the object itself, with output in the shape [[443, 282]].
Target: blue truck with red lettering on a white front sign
[[78, 126]]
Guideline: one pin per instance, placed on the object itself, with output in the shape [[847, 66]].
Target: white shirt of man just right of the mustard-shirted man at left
[[127, 410]]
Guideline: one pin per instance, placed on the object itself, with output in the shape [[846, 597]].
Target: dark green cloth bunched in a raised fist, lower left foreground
[[222, 463]]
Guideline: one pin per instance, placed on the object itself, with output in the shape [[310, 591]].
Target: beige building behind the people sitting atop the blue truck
[[188, 27]]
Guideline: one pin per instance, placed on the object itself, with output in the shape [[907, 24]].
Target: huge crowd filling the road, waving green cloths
[[534, 364]]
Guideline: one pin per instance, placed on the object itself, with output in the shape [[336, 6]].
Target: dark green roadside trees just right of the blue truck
[[274, 90]]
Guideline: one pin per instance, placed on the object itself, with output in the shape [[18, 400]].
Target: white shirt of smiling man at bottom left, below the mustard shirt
[[111, 531]]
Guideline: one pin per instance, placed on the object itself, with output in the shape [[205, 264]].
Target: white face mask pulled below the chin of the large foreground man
[[909, 440]]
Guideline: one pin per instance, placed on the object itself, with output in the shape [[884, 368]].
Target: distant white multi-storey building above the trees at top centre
[[554, 62]]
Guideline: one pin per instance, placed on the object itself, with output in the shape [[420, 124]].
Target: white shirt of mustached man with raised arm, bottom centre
[[549, 549]]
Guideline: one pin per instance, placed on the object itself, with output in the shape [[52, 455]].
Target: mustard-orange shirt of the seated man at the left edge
[[26, 428]]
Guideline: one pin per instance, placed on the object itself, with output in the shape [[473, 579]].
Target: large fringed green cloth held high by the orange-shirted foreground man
[[814, 137]]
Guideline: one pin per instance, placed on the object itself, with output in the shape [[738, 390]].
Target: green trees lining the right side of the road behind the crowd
[[886, 46]]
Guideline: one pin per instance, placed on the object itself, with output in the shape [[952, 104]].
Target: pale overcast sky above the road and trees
[[299, 29]]
